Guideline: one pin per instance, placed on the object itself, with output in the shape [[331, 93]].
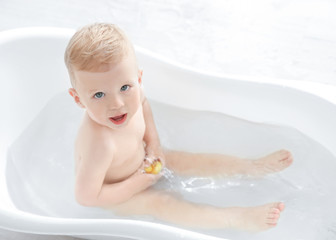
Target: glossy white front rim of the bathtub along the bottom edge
[[20, 221]]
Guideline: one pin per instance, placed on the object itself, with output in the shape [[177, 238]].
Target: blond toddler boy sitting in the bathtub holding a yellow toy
[[118, 139]]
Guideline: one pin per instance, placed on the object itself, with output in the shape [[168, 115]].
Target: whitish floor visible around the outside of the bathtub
[[291, 39]]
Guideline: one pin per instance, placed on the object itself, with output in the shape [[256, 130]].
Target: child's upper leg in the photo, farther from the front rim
[[200, 164]]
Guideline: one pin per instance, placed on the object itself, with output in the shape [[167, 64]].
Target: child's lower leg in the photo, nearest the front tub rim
[[166, 207]]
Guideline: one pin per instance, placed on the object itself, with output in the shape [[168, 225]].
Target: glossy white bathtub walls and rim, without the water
[[31, 60]]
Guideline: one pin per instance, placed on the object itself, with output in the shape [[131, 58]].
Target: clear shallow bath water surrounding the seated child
[[40, 169]]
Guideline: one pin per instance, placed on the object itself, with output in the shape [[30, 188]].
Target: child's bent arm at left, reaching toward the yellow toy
[[91, 189]]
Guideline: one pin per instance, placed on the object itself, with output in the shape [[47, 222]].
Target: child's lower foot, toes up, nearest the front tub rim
[[258, 218]]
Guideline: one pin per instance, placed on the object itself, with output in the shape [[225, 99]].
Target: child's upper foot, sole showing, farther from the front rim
[[271, 163]]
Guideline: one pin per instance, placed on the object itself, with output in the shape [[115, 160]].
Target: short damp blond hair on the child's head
[[94, 47]]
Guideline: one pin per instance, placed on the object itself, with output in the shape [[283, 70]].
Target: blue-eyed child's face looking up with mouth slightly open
[[111, 98]]
